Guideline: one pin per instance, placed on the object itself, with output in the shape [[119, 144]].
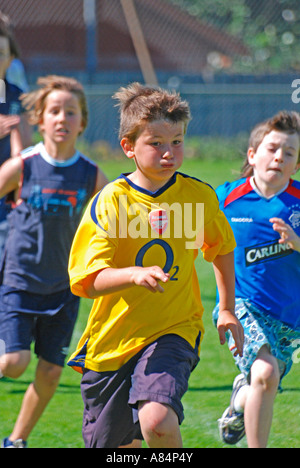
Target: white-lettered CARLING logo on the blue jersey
[[262, 253]]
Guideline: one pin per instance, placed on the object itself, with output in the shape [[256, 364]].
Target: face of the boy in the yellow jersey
[[158, 153]]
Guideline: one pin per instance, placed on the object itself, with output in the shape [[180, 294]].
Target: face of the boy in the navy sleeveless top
[[62, 118]]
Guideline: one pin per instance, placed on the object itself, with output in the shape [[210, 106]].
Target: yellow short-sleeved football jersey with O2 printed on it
[[125, 225]]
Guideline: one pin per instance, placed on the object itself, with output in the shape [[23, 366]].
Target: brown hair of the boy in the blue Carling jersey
[[284, 121]]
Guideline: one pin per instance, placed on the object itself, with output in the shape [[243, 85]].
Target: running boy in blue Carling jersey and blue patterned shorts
[[263, 208]]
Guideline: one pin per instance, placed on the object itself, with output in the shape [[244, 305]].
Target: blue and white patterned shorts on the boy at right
[[261, 329]]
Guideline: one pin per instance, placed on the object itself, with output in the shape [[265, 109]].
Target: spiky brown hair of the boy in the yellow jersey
[[141, 104]]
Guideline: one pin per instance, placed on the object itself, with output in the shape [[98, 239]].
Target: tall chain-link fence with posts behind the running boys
[[235, 61]]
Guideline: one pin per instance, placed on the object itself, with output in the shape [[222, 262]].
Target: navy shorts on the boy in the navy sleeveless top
[[46, 320]]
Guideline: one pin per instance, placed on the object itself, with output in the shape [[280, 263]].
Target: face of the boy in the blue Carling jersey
[[276, 159]]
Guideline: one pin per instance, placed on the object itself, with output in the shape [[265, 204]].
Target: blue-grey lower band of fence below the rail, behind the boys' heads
[[217, 109]]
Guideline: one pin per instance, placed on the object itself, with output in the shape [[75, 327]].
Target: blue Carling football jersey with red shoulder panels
[[267, 273]]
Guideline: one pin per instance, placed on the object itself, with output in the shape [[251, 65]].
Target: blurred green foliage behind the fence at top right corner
[[269, 28]]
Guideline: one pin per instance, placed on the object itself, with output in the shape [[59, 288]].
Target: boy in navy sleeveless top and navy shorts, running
[[50, 185]]
